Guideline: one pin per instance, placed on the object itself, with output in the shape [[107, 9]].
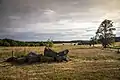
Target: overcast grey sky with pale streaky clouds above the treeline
[[40, 20]]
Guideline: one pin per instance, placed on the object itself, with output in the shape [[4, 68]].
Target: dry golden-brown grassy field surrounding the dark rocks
[[87, 63]]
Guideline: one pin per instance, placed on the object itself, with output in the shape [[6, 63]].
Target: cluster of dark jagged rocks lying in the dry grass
[[49, 56]]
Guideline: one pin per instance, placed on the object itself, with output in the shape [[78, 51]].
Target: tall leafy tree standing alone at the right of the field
[[105, 33]]
